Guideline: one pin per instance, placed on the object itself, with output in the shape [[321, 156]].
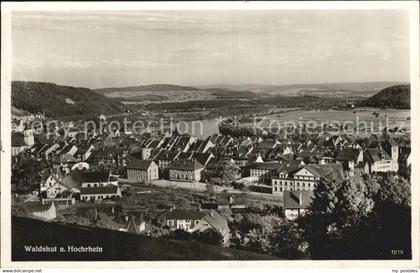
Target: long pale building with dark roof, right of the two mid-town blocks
[[185, 170]]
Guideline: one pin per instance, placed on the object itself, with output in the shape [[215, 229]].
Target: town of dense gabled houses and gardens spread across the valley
[[225, 190]]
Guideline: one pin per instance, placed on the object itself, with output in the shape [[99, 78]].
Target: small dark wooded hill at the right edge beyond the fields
[[397, 96]]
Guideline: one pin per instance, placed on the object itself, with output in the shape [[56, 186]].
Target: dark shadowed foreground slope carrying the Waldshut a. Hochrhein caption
[[116, 245]]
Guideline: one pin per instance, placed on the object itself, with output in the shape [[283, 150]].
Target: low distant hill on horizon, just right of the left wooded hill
[[151, 87]]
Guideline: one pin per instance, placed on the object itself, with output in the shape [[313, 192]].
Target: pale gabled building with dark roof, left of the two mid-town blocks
[[142, 170]]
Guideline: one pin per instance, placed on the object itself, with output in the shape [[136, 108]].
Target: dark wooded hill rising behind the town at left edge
[[60, 101]]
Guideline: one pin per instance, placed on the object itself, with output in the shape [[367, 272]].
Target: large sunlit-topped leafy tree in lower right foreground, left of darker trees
[[337, 213]]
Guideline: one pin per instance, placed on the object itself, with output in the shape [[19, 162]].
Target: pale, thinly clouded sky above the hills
[[98, 49]]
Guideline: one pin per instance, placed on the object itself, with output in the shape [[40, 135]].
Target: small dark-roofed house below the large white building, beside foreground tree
[[296, 203]]
